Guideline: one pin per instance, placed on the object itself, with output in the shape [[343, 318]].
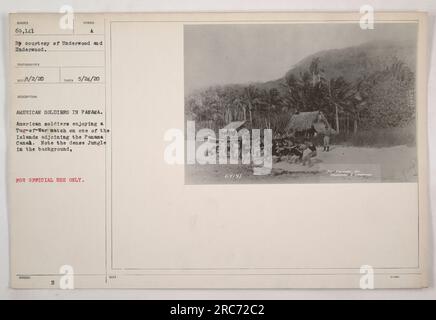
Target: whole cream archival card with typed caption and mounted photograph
[[218, 150]]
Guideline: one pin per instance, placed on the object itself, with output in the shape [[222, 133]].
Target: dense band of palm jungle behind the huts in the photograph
[[383, 99]]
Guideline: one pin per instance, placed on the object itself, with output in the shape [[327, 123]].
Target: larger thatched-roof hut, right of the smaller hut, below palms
[[307, 121]]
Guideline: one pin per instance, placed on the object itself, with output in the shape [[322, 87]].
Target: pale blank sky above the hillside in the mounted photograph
[[243, 53]]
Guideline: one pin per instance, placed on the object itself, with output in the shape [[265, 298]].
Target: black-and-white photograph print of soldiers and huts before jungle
[[300, 103]]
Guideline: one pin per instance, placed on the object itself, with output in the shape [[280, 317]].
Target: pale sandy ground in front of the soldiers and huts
[[342, 164]]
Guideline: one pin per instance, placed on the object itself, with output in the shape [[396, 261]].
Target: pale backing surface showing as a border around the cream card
[[206, 5]]
